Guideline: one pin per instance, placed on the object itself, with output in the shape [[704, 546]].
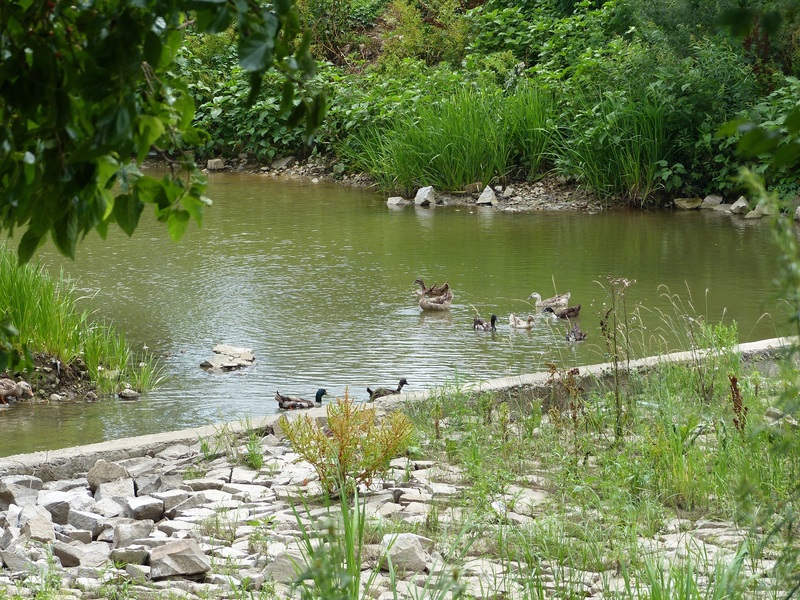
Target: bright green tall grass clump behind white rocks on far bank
[[471, 136]]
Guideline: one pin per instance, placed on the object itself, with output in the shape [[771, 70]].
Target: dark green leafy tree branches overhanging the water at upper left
[[87, 92]]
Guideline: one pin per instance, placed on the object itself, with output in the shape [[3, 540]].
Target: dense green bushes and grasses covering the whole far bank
[[625, 100]]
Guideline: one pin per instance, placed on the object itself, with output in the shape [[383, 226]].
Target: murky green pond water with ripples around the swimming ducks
[[318, 280]]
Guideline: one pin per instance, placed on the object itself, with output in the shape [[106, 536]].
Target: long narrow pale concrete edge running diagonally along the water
[[64, 463]]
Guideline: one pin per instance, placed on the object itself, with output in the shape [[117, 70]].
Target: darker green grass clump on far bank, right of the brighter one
[[616, 146]]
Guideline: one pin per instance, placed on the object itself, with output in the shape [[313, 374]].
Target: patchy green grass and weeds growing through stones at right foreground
[[681, 455]]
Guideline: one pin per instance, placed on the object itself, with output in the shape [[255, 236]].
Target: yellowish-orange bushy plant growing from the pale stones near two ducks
[[358, 445]]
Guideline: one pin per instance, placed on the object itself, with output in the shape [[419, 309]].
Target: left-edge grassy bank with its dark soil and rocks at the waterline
[[74, 353]]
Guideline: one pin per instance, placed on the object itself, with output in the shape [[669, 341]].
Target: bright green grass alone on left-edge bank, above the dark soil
[[49, 321]]
